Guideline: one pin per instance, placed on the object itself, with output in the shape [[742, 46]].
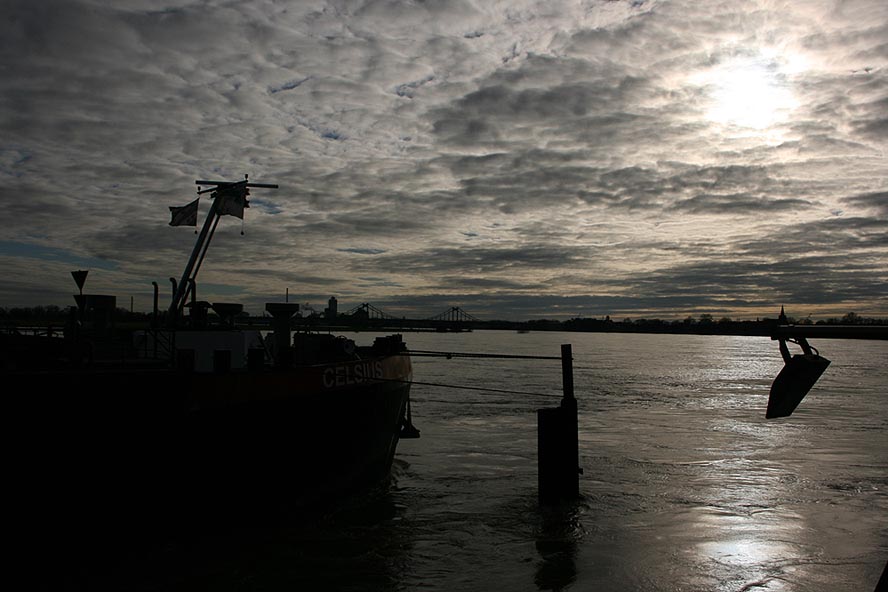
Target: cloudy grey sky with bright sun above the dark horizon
[[519, 159]]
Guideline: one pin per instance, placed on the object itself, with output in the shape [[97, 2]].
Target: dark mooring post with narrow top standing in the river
[[558, 442]]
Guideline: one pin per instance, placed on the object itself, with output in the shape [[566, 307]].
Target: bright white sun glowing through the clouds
[[749, 93]]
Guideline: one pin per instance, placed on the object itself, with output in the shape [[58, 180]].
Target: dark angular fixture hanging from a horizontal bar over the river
[[795, 380]]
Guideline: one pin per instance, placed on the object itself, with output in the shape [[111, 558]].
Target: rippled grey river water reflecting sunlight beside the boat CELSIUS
[[686, 486]]
